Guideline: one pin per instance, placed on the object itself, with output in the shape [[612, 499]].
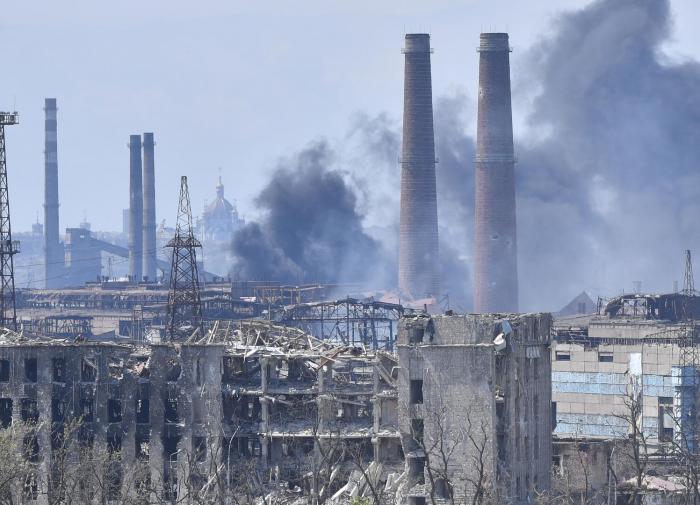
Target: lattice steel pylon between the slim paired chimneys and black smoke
[[184, 302]]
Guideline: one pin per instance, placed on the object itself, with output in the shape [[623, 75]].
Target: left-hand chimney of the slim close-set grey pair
[[135, 209]]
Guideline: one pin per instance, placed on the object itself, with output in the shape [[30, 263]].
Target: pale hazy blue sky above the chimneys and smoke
[[227, 84]]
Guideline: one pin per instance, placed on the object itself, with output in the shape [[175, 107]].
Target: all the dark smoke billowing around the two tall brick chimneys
[[608, 184]]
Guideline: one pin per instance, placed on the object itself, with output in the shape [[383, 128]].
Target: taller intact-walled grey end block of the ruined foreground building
[[474, 406]]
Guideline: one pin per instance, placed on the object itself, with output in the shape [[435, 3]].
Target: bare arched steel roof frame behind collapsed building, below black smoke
[[348, 321]]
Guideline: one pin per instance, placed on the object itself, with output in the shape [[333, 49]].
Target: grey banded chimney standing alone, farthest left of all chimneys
[[53, 251]]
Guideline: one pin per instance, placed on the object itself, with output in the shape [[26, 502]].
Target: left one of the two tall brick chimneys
[[418, 231]]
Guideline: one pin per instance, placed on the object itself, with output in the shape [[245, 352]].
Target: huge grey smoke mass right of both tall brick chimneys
[[608, 180]]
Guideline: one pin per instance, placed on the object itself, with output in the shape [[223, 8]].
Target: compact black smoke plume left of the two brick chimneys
[[311, 230]]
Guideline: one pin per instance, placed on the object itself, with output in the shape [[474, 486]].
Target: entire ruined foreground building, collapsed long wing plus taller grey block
[[254, 409]]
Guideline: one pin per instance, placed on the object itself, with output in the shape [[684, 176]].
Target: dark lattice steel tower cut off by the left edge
[[8, 247]]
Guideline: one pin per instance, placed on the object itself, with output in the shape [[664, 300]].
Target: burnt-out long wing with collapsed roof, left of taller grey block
[[255, 404]]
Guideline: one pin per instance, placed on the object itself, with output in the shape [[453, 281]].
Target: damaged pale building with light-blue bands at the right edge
[[638, 349]]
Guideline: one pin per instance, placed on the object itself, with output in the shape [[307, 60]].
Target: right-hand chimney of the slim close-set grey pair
[[149, 209]]
